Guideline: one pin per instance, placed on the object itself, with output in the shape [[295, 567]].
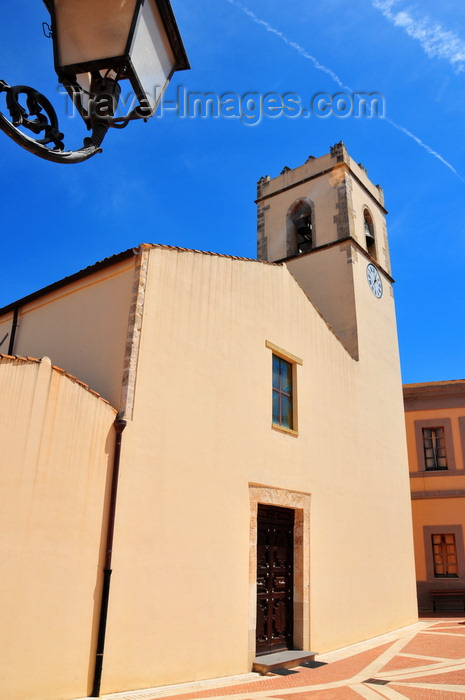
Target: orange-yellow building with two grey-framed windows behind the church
[[435, 420]]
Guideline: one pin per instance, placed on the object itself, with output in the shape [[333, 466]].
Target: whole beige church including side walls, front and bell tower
[[262, 486]]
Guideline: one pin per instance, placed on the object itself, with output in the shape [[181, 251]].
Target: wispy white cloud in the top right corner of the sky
[[436, 41]]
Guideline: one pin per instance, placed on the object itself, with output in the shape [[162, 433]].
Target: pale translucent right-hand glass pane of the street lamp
[[151, 53]]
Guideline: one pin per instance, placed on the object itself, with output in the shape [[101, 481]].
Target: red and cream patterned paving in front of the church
[[422, 662]]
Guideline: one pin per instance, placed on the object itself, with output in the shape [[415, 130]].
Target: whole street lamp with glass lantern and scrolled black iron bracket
[[99, 47]]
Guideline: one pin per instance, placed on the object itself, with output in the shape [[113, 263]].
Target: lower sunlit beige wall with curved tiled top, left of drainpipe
[[57, 443]]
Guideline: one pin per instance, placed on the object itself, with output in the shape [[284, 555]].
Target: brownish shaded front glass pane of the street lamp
[[90, 30]]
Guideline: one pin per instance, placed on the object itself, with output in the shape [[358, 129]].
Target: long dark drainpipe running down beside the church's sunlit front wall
[[120, 425]]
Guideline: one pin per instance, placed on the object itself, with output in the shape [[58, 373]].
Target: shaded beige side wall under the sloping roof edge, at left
[[82, 327]]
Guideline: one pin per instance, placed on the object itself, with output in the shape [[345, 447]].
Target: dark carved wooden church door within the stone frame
[[275, 548]]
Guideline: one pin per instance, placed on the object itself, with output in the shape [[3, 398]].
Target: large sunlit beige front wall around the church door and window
[[201, 436]]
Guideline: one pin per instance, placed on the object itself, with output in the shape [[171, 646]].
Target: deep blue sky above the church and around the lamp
[[191, 182]]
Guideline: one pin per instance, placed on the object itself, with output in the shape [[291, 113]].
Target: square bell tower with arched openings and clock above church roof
[[326, 221]]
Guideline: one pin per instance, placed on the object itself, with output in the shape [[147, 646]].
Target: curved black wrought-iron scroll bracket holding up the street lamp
[[39, 116]]
